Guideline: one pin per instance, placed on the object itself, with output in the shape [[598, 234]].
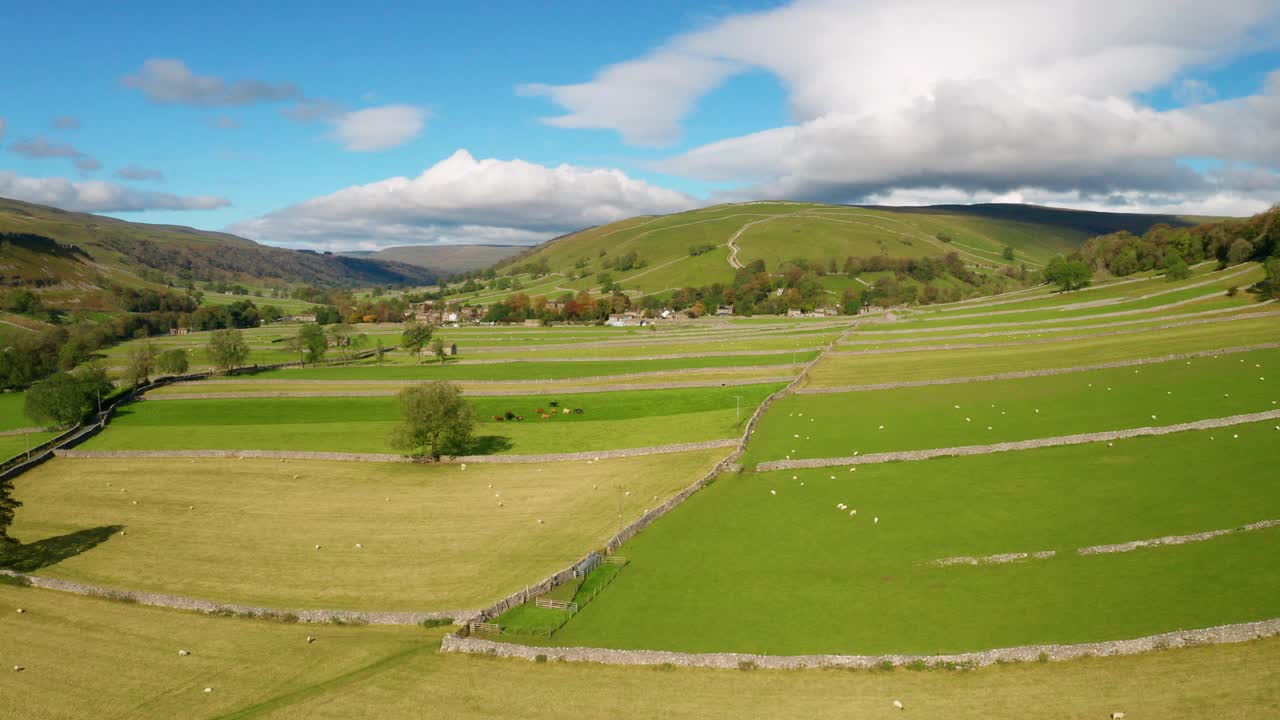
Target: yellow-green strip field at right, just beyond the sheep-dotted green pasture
[[897, 367]]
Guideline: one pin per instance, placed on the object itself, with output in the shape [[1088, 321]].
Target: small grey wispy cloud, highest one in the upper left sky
[[172, 83]]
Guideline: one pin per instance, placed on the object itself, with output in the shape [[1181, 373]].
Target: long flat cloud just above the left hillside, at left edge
[[98, 197]]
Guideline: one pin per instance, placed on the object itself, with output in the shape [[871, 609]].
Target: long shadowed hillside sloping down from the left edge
[[93, 250]]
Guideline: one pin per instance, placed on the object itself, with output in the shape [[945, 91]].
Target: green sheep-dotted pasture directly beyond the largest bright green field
[[952, 416]]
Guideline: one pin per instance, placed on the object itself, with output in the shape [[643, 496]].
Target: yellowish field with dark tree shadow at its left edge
[[245, 531]]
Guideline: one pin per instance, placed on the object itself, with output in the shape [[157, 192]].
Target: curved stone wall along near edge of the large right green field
[[1242, 632]]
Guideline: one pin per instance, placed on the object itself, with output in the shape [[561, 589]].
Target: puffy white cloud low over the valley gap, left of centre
[[464, 200]]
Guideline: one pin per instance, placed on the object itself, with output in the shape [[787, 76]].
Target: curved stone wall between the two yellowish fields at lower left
[[196, 605]]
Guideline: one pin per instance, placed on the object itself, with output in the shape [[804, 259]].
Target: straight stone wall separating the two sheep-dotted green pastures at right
[[1018, 445]]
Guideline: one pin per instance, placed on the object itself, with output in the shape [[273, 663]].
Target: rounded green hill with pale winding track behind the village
[[655, 256]]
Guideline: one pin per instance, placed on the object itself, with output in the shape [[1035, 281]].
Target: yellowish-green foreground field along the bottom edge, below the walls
[[92, 658]]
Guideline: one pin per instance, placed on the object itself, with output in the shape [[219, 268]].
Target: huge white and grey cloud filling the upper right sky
[[977, 97]]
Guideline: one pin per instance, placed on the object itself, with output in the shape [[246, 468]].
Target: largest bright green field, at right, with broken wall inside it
[[738, 568]]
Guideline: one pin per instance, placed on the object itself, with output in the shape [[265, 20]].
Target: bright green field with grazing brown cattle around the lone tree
[[363, 425]]
